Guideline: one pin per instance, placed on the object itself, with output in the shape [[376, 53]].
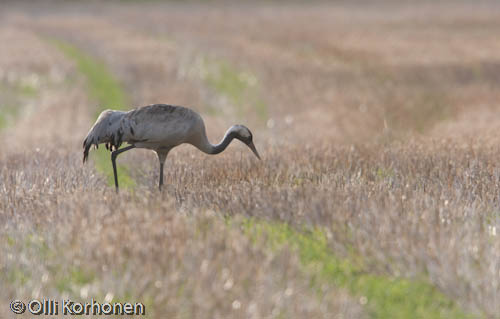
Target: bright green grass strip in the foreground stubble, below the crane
[[387, 297]]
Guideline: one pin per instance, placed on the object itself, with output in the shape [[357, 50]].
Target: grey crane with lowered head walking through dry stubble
[[158, 127]]
